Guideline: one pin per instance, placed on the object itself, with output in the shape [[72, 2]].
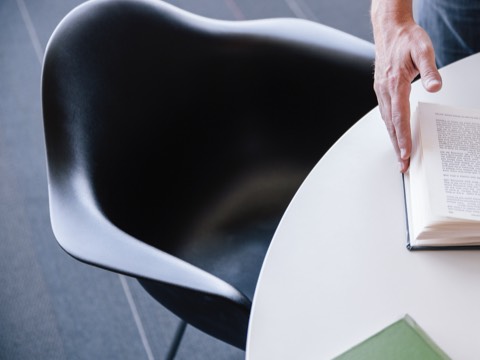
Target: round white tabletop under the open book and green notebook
[[338, 270]]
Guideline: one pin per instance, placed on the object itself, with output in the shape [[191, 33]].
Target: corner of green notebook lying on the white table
[[402, 340]]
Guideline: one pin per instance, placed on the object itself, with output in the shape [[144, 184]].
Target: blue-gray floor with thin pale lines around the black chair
[[51, 306]]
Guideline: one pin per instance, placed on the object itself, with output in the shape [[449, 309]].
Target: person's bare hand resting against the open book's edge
[[403, 51]]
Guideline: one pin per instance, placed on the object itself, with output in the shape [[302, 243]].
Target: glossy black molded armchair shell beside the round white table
[[175, 143]]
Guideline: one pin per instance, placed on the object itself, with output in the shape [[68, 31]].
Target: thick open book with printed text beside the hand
[[442, 185]]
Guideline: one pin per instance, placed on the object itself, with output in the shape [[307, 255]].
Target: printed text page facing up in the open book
[[451, 151]]
